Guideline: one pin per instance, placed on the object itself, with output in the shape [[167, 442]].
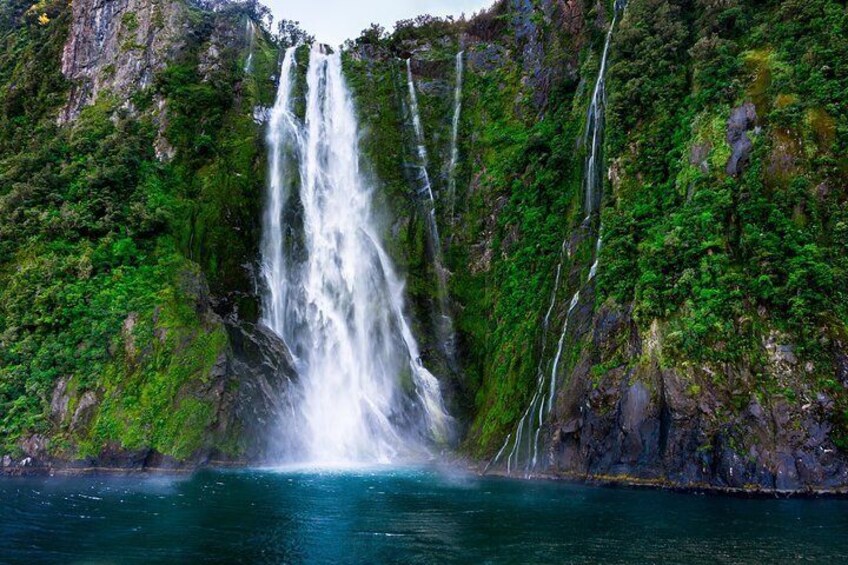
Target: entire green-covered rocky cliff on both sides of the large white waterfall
[[700, 342]]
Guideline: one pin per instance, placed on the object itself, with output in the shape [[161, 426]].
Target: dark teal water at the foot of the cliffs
[[401, 516]]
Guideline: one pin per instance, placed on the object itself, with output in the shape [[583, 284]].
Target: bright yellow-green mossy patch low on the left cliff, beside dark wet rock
[[159, 398]]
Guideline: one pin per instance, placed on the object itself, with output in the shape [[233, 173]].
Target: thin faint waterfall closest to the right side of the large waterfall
[[444, 323]]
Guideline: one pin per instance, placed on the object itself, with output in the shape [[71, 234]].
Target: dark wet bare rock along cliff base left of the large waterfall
[[249, 386]]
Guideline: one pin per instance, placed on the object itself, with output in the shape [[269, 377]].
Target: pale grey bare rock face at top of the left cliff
[[117, 46]]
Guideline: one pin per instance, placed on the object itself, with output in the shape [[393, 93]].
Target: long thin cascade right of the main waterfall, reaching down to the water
[[525, 440]]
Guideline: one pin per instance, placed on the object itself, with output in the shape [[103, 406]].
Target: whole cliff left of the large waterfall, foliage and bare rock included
[[128, 196]]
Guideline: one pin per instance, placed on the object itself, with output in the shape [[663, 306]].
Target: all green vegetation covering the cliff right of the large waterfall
[[718, 264]]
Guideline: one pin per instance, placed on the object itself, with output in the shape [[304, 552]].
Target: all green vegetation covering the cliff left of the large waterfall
[[105, 249]]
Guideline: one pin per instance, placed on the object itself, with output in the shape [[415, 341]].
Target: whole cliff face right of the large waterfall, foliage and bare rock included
[[691, 352]]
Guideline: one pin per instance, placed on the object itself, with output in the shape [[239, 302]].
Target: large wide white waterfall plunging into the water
[[331, 292]]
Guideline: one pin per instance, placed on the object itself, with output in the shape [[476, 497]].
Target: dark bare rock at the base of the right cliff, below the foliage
[[671, 425]]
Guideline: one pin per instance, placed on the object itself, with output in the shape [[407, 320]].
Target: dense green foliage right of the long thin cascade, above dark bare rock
[[726, 261]]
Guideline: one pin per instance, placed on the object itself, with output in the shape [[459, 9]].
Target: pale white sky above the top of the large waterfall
[[333, 21]]
